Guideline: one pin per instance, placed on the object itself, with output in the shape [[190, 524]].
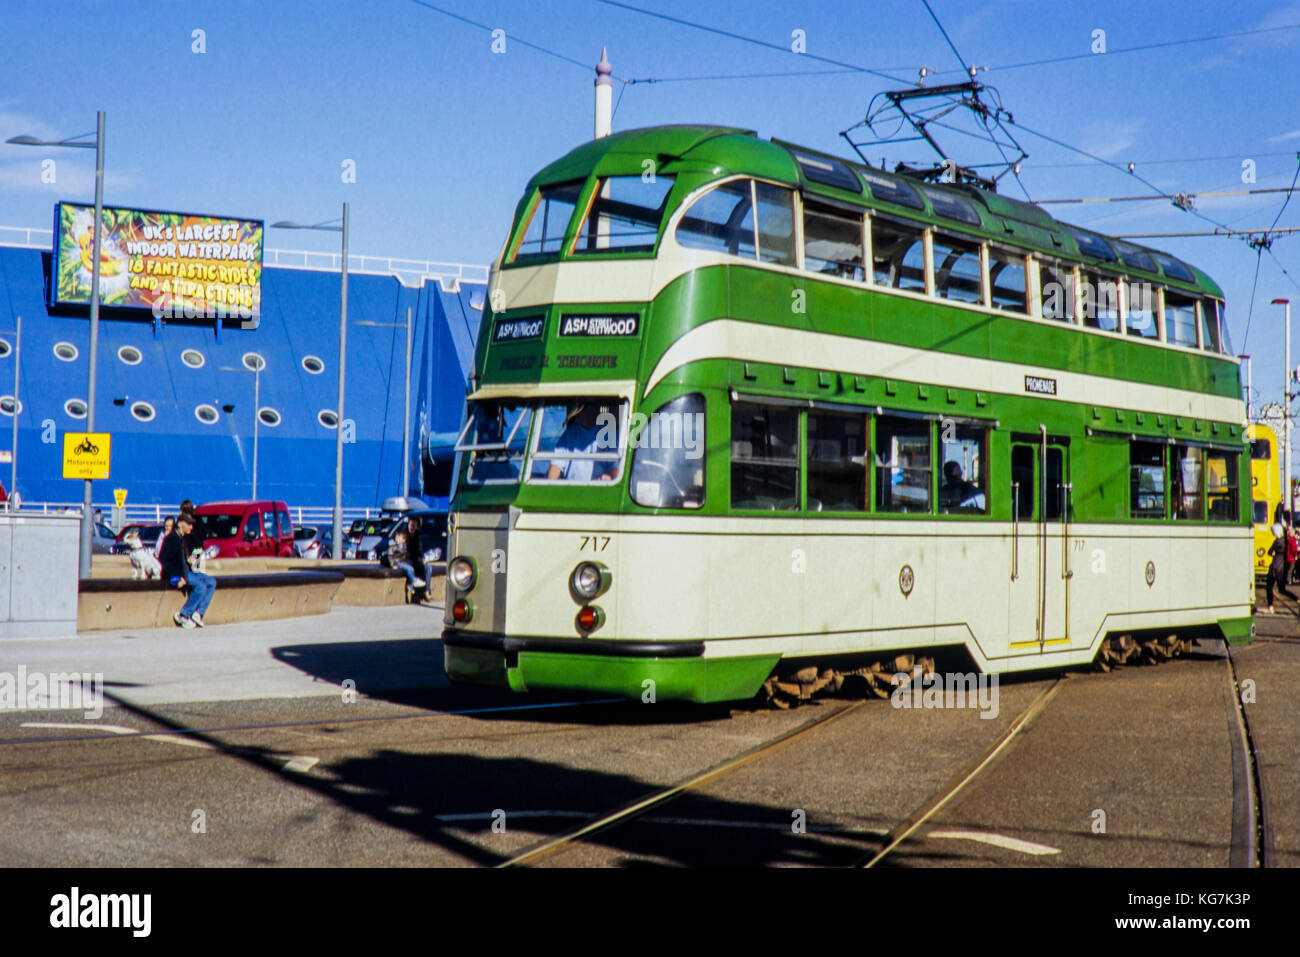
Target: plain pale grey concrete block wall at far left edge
[[38, 575]]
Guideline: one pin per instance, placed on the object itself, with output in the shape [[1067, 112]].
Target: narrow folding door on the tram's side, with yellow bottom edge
[[1039, 600]]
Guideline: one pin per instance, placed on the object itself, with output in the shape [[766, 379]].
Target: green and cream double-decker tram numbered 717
[[742, 408]]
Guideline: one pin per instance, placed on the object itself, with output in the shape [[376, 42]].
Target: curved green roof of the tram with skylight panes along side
[[729, 150]]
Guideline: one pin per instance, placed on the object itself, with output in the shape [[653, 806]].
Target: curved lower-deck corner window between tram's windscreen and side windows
[[669, 462]]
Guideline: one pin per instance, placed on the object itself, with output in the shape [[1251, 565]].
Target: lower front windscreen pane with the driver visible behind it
[[579, 441]]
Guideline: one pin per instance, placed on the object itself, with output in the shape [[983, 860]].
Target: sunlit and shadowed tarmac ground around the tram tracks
[[245, 746]]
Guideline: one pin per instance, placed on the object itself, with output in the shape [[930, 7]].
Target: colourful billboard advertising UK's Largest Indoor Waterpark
[[176, 266]]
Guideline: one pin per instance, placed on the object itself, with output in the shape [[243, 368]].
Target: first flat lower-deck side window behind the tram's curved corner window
[[765, 457]]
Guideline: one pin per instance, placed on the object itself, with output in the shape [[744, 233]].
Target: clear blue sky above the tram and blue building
[[445, 133]]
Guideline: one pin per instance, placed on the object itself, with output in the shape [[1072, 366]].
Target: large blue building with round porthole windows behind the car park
[[188, 400]]
